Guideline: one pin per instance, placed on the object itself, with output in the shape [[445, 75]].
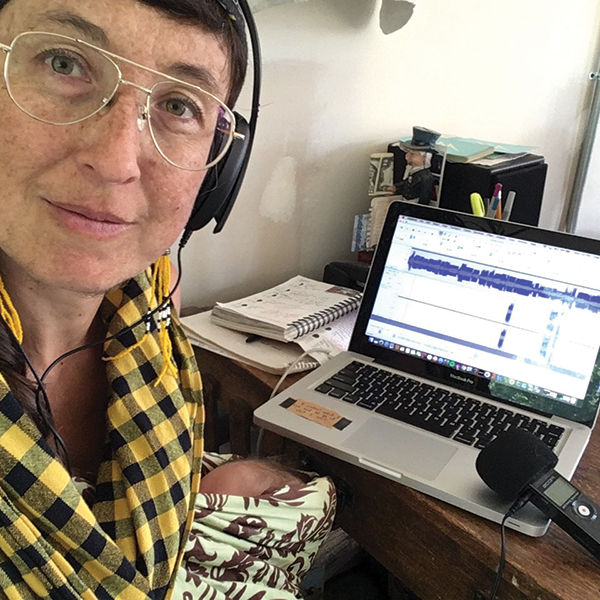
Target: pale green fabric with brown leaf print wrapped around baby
[[258, 548]]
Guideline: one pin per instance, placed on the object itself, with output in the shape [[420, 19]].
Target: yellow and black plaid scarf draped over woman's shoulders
[[129, 545]]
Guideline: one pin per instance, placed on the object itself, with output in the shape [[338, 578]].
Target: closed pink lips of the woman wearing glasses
[[83, 220]]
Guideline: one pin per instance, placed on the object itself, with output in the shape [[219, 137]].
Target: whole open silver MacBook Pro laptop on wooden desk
[[468, 326]]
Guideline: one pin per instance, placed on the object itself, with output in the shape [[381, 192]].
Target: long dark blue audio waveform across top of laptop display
[[504, 282]]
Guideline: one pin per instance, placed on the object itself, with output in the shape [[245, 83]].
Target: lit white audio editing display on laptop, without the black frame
[[514, 311]]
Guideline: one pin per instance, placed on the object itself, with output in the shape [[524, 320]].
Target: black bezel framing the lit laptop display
[[439, 373]]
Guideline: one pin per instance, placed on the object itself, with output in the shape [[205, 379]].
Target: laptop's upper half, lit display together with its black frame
[[496, 308]]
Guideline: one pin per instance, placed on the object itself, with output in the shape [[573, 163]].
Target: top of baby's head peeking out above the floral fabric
[[249, 477]]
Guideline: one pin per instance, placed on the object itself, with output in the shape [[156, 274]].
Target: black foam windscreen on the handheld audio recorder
[[512, 461]]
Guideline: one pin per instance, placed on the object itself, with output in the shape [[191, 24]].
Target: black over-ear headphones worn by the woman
[[222, 183]]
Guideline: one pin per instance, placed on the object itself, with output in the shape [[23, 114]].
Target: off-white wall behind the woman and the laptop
[[336, 89]]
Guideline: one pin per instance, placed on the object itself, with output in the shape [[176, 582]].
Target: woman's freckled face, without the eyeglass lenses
[[85, 206]]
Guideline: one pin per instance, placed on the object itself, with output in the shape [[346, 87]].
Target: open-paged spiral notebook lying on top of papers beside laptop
[[287, 311]]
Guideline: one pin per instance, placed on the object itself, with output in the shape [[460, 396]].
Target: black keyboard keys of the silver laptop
[[467, 420]]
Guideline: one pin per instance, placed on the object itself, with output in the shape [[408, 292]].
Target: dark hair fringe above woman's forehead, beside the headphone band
[[211, 16]]
